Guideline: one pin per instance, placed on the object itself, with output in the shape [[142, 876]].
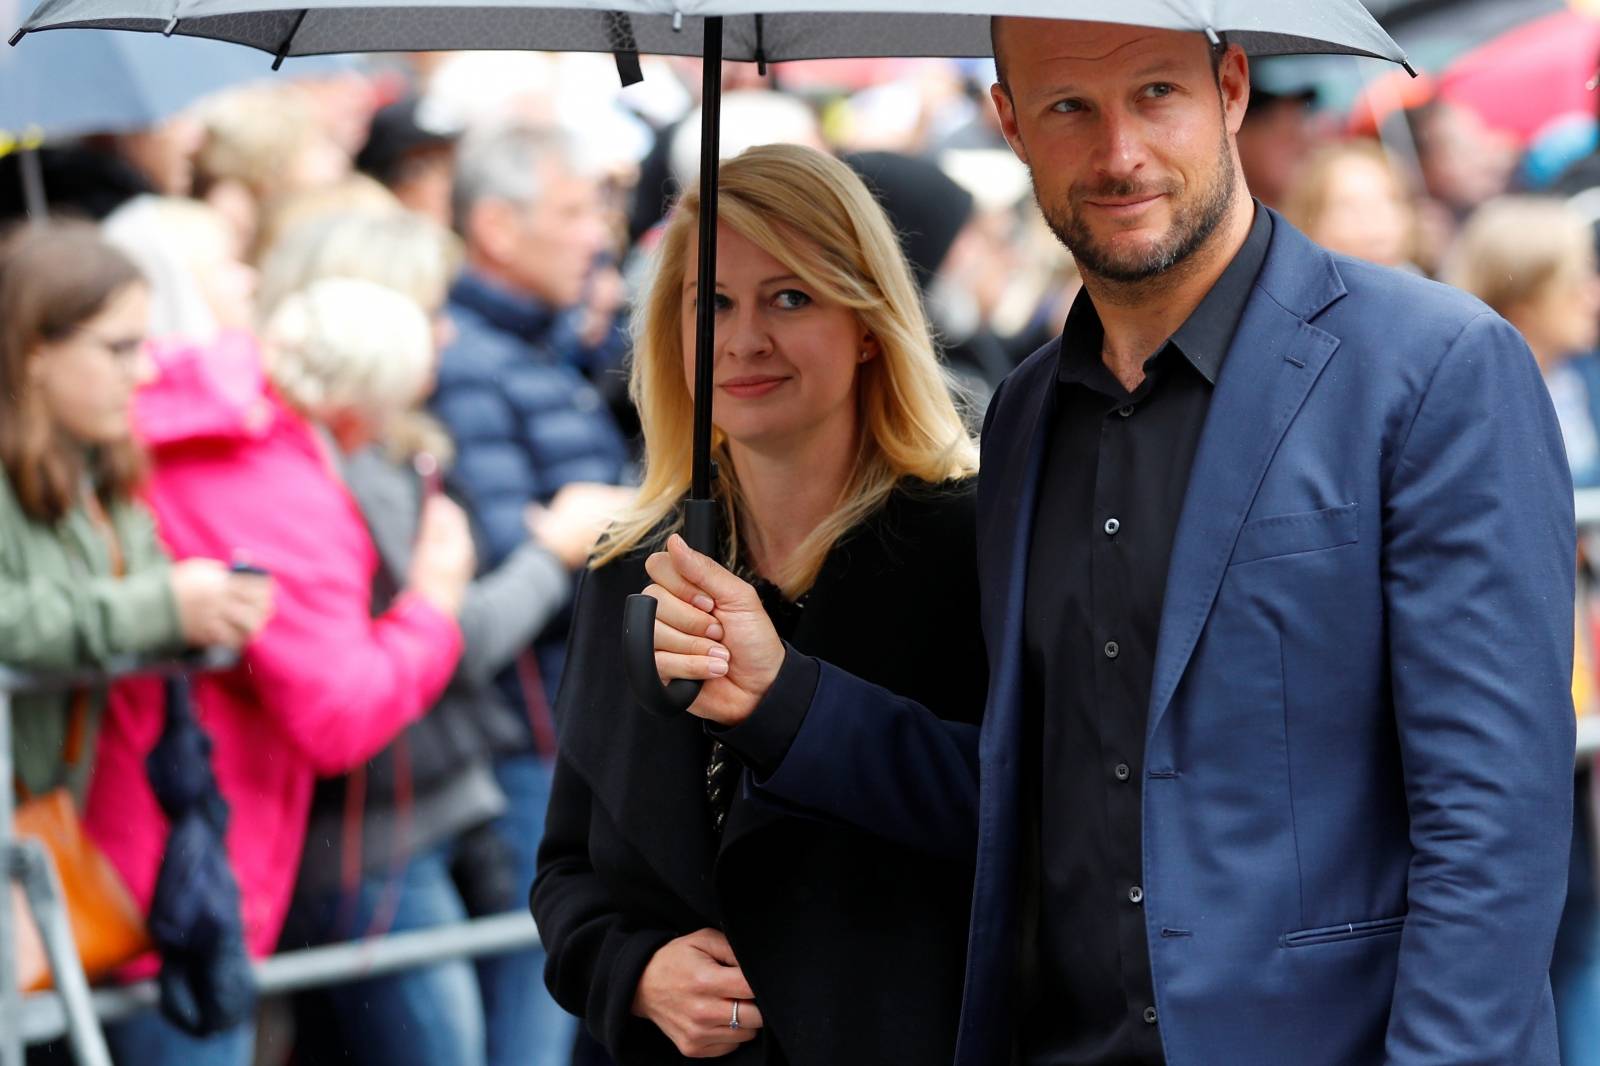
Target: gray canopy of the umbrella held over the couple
[[758, 31]]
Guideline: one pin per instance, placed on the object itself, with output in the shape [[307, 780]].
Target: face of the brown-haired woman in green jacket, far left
[[87, 379]]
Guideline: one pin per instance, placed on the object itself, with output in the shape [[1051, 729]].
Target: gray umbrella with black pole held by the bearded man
[[756, 31]]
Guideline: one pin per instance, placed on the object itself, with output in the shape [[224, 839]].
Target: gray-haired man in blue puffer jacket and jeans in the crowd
[[529, 425]]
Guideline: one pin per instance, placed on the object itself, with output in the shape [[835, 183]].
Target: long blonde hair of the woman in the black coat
[[812, 214]]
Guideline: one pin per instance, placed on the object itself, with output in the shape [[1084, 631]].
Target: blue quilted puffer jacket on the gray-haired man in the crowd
[[524, 419]]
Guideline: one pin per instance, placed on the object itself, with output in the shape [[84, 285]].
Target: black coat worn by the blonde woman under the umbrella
[[855, 947]]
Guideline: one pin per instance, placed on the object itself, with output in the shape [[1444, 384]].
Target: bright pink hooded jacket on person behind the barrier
[[239, 476]]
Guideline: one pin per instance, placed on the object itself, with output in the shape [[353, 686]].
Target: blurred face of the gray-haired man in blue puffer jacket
[[550, 246]]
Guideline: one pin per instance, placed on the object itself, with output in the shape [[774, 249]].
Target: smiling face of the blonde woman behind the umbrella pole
[[786, 361]]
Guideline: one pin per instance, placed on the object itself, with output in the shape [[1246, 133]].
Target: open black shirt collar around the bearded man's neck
[[1206, 335]]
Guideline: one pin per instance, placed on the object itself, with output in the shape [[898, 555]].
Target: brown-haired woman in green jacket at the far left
[[82, 575]]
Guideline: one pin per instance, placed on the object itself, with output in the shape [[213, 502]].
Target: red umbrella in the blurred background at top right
[[1535, 74]]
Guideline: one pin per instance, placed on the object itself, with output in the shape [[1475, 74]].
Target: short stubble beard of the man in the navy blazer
[[1191, 230]]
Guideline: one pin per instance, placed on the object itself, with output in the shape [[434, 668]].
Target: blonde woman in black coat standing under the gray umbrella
[[684, 916]]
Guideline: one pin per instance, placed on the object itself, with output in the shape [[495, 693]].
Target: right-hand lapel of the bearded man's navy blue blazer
[[1271, 367]]
